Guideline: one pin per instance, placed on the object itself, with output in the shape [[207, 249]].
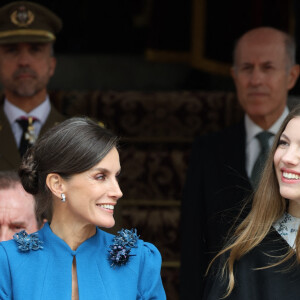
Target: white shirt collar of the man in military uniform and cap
[[13, 113]]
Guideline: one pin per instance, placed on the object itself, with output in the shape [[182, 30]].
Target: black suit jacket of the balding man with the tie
[[216, 185]]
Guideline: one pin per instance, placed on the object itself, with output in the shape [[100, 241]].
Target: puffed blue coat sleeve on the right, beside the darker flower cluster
[[150, 283]]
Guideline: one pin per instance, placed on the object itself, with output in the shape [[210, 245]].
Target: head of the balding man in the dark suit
[[264, 71]]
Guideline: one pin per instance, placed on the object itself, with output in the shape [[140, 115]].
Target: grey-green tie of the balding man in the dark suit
[[263, 138]]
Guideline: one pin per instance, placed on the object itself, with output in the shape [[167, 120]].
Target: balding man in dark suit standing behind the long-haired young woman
[[221, 168]]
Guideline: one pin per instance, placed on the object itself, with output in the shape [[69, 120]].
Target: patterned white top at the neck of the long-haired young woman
[[287, 226]]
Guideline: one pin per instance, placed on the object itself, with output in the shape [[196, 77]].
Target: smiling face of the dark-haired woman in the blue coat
[[92, 195]]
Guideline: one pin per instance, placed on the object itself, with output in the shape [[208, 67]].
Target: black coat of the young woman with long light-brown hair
[[276, 283]]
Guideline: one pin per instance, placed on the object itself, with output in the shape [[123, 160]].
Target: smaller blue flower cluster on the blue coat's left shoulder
[[27, 242]]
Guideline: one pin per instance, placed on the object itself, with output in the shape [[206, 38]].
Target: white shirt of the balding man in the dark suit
[[252, 143]]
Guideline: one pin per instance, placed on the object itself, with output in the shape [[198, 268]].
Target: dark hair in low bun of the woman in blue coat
[[69, 148]]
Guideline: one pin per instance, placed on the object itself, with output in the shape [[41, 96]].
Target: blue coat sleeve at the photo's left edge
[[5, 278]]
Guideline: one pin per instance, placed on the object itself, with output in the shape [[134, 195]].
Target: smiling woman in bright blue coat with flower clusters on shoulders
[[72, 171]]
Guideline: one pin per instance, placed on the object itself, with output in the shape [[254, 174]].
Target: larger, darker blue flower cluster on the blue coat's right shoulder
[[119, 252]]
